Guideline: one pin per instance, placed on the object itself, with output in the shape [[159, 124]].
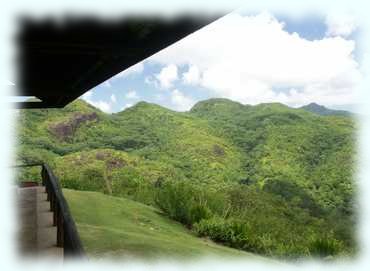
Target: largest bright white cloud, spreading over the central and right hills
[[256, 56]]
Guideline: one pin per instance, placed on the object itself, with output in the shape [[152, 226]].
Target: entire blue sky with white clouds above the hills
[[247, 58]]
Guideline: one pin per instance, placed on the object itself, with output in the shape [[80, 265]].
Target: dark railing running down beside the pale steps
[[67, 235]]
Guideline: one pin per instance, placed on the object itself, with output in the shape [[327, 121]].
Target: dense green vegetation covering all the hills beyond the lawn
[[267, 179]]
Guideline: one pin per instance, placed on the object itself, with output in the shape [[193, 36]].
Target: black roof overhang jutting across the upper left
[[57, 64]]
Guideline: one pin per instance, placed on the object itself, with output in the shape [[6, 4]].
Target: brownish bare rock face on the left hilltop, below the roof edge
[[65, 130]]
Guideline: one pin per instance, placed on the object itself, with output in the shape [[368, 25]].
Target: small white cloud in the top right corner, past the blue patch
[[340, 25]]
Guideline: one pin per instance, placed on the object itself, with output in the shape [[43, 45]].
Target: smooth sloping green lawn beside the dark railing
[[118, 227]]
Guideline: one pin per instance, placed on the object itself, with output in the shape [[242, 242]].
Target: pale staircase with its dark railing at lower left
[[46, 227]]
